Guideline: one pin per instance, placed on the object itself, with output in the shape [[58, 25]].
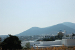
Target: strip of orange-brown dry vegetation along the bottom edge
[[52, 48]]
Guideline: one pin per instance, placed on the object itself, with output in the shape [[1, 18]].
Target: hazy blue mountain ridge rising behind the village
[[69, 27]]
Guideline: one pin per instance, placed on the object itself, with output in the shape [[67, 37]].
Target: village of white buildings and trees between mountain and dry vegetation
[[44, 41]]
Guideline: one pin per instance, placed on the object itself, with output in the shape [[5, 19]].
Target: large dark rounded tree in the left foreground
[[11, 42]]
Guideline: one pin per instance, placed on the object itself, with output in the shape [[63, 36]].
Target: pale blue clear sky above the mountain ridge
[[17, 16]]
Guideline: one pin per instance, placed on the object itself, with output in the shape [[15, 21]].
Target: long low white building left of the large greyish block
[[48, 43]]
